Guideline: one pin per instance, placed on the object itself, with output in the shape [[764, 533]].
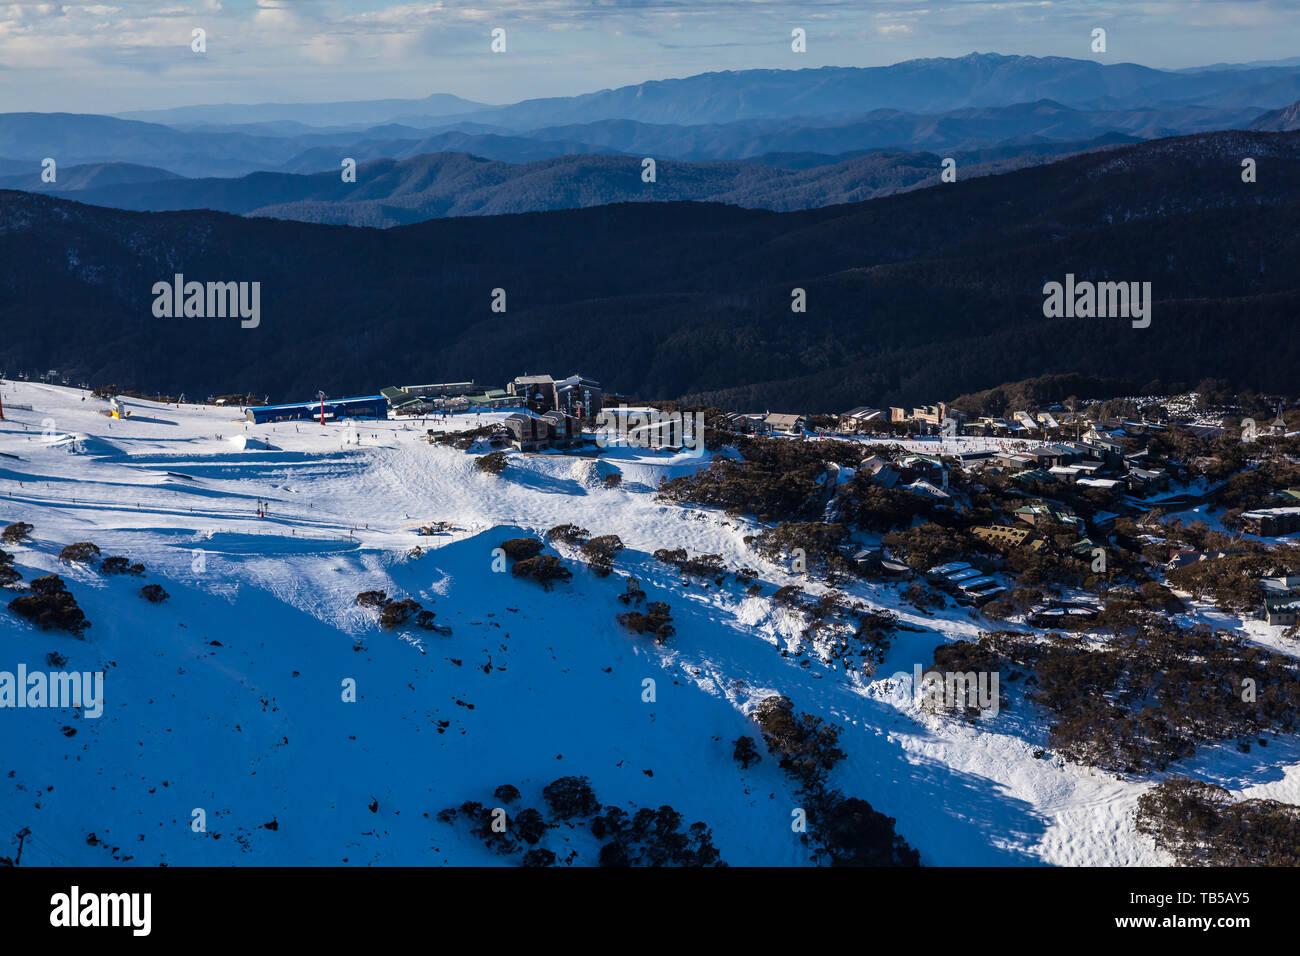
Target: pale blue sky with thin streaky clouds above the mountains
[[124, 55]]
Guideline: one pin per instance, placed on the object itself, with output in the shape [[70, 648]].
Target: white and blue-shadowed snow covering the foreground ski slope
[[228, 698]]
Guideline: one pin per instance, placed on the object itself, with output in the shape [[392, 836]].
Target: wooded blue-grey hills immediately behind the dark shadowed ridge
[[391, 193]]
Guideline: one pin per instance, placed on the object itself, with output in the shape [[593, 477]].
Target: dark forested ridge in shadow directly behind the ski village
[[911, 297]]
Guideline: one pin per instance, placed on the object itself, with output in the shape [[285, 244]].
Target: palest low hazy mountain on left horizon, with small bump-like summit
[[349, 114]]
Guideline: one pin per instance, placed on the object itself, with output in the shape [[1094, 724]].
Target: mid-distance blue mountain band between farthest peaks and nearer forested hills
[[76, 140]]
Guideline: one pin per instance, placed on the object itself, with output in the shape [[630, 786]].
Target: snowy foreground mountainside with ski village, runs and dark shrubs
[[991, 630]]
